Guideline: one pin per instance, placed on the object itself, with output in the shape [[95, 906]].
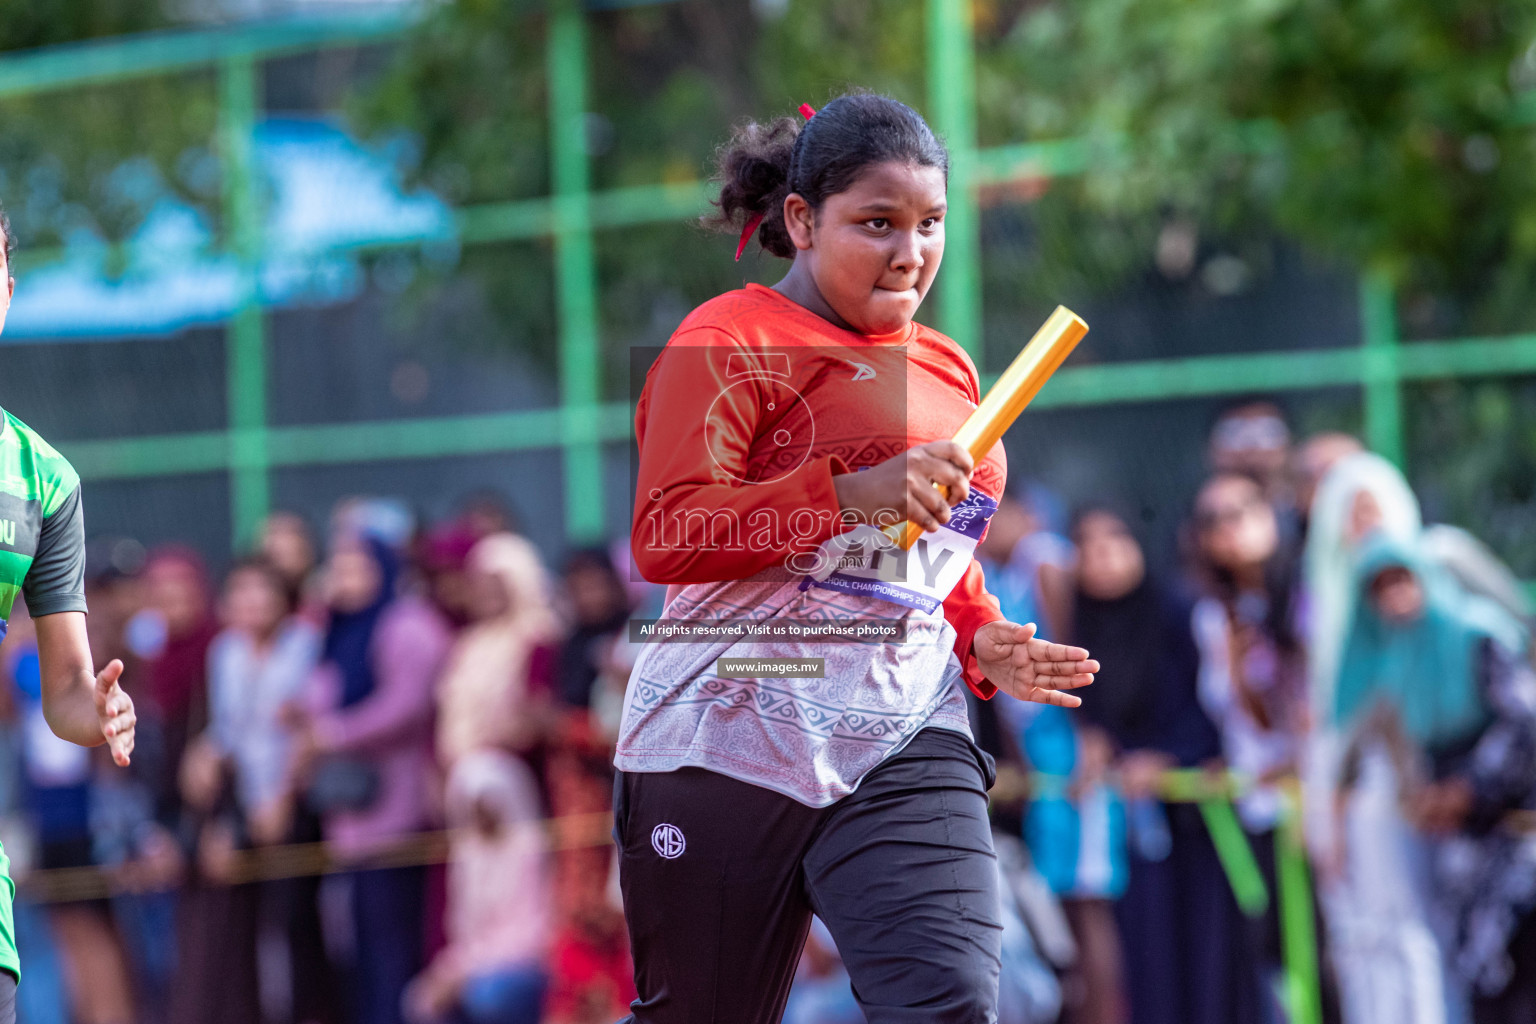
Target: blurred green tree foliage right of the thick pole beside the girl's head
[[1391, 134]]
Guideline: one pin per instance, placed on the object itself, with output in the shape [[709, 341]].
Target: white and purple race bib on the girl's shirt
[[866, 563]]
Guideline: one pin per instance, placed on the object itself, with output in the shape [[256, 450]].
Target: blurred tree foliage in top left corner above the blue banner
[[96, 160]]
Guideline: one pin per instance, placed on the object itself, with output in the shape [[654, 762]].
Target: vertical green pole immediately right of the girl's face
[[952, 96]]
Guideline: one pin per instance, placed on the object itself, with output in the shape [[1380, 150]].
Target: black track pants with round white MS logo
[[721, 879]]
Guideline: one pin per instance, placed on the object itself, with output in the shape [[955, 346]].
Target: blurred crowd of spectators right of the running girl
[[1360, 684]]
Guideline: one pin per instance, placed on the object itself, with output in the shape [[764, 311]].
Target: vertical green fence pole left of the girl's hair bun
[[575, 268]]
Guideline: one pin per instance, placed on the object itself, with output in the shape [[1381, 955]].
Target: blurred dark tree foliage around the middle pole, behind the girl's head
[[666, 84]]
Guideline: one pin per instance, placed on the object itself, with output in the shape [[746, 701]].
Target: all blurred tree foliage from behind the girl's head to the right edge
[[1386, 134]]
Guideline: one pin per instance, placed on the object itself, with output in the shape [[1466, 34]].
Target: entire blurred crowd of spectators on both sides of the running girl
[[340, 701]]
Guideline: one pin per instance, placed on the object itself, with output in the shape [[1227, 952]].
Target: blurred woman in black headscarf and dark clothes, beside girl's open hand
[[1179, 928]]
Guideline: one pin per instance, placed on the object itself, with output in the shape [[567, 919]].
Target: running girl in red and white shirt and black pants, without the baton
[[833, 773]]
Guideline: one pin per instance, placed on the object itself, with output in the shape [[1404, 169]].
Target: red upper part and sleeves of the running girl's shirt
[[755, 408]]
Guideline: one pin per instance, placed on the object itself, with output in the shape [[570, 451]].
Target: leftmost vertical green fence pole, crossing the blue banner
[[247, 357]]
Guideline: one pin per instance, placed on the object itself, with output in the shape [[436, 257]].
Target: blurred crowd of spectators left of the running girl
[[357, 696]]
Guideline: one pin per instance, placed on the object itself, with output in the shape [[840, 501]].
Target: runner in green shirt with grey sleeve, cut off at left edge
[[42, 558]]
